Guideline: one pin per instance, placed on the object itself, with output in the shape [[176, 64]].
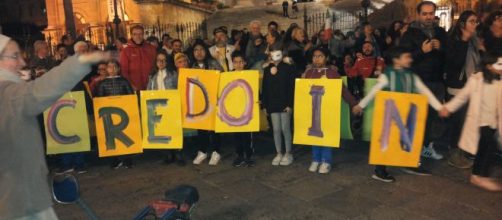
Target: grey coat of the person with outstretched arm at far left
[[24, 185]]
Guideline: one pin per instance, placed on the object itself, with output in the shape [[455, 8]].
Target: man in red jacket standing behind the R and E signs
[[136, 60]]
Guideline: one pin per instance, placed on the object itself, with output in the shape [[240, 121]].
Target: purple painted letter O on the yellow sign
[[246, 117]]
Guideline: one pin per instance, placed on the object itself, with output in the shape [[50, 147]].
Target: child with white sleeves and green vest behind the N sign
[[397, 77]]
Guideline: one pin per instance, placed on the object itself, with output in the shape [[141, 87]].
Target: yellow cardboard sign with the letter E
[[161, 119]]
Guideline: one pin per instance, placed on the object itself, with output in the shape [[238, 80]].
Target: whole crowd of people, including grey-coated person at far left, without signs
[[451, 69]]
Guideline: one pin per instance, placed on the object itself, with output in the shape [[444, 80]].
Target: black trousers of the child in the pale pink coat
[[485, 157]]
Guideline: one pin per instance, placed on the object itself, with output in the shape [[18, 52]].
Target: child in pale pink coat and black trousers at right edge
[[483, 91]]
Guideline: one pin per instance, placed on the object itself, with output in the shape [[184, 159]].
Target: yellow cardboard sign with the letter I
[[317, 112]]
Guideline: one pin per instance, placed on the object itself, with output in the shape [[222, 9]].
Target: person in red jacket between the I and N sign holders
[[366, 66]]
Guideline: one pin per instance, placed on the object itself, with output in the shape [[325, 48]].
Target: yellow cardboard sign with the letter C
[[66, 125]]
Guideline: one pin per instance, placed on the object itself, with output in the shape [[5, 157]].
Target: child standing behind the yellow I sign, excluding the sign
[[322, 156]]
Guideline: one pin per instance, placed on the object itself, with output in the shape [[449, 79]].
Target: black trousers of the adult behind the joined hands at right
[[456, 123]]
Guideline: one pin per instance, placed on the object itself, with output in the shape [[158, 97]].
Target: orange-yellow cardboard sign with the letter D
[[199, 90]]
